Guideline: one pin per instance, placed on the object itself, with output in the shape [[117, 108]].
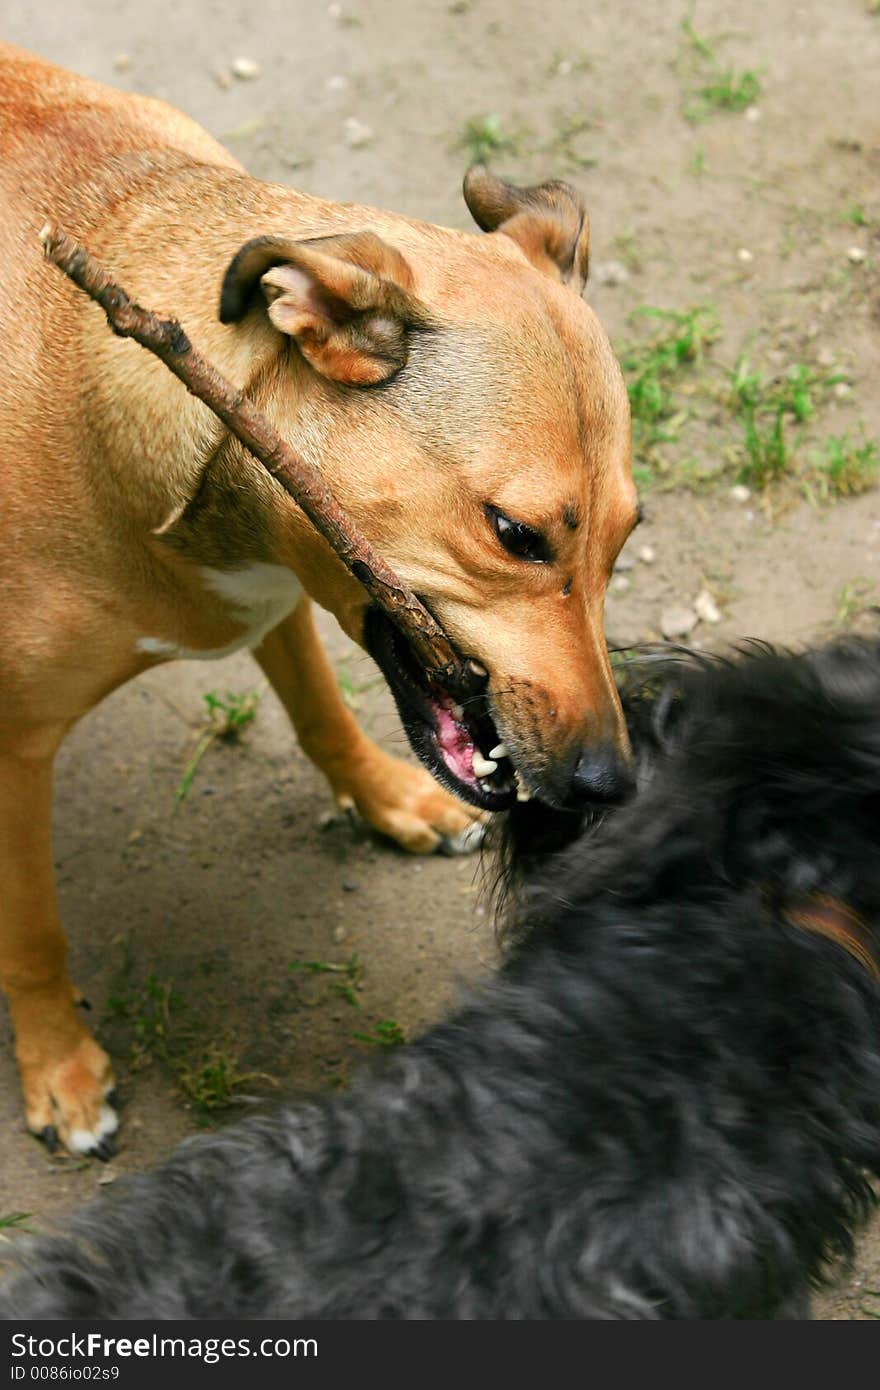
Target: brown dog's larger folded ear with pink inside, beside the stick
[[347, 301]]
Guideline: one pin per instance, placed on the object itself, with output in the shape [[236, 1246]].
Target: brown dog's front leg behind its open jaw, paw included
[[396, 799]]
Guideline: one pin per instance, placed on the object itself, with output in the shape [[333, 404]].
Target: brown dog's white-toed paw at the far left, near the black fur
[[73, 1102]]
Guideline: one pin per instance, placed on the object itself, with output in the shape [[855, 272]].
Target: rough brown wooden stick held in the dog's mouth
[[166, 338]]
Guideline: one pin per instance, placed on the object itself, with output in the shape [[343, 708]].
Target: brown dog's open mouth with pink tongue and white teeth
[[459, 744]]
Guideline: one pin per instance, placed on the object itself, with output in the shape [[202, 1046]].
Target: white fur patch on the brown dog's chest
[[258, 597]]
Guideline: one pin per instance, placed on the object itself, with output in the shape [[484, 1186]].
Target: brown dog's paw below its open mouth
[[408, 806]]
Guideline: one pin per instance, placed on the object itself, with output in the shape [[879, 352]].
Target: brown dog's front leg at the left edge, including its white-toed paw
[[65, 1074]]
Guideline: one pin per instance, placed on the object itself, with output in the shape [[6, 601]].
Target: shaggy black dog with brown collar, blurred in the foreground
[[667, 1106]]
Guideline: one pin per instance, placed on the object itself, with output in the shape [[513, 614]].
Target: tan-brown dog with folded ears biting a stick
[[459, 397]]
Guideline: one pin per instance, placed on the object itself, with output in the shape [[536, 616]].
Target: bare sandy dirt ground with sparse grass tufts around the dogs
[[731, 158]]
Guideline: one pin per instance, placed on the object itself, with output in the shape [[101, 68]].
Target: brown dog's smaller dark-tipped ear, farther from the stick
[[548, 222]]
